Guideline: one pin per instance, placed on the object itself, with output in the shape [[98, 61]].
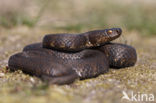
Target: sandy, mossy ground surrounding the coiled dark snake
[[17, 87]]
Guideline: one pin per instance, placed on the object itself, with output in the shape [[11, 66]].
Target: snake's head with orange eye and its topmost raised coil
[[77, 42]]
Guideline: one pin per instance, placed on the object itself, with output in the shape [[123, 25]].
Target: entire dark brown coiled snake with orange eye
[[62, 58]]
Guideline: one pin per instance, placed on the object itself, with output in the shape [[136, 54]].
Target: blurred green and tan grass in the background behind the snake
[[138, 16]]
